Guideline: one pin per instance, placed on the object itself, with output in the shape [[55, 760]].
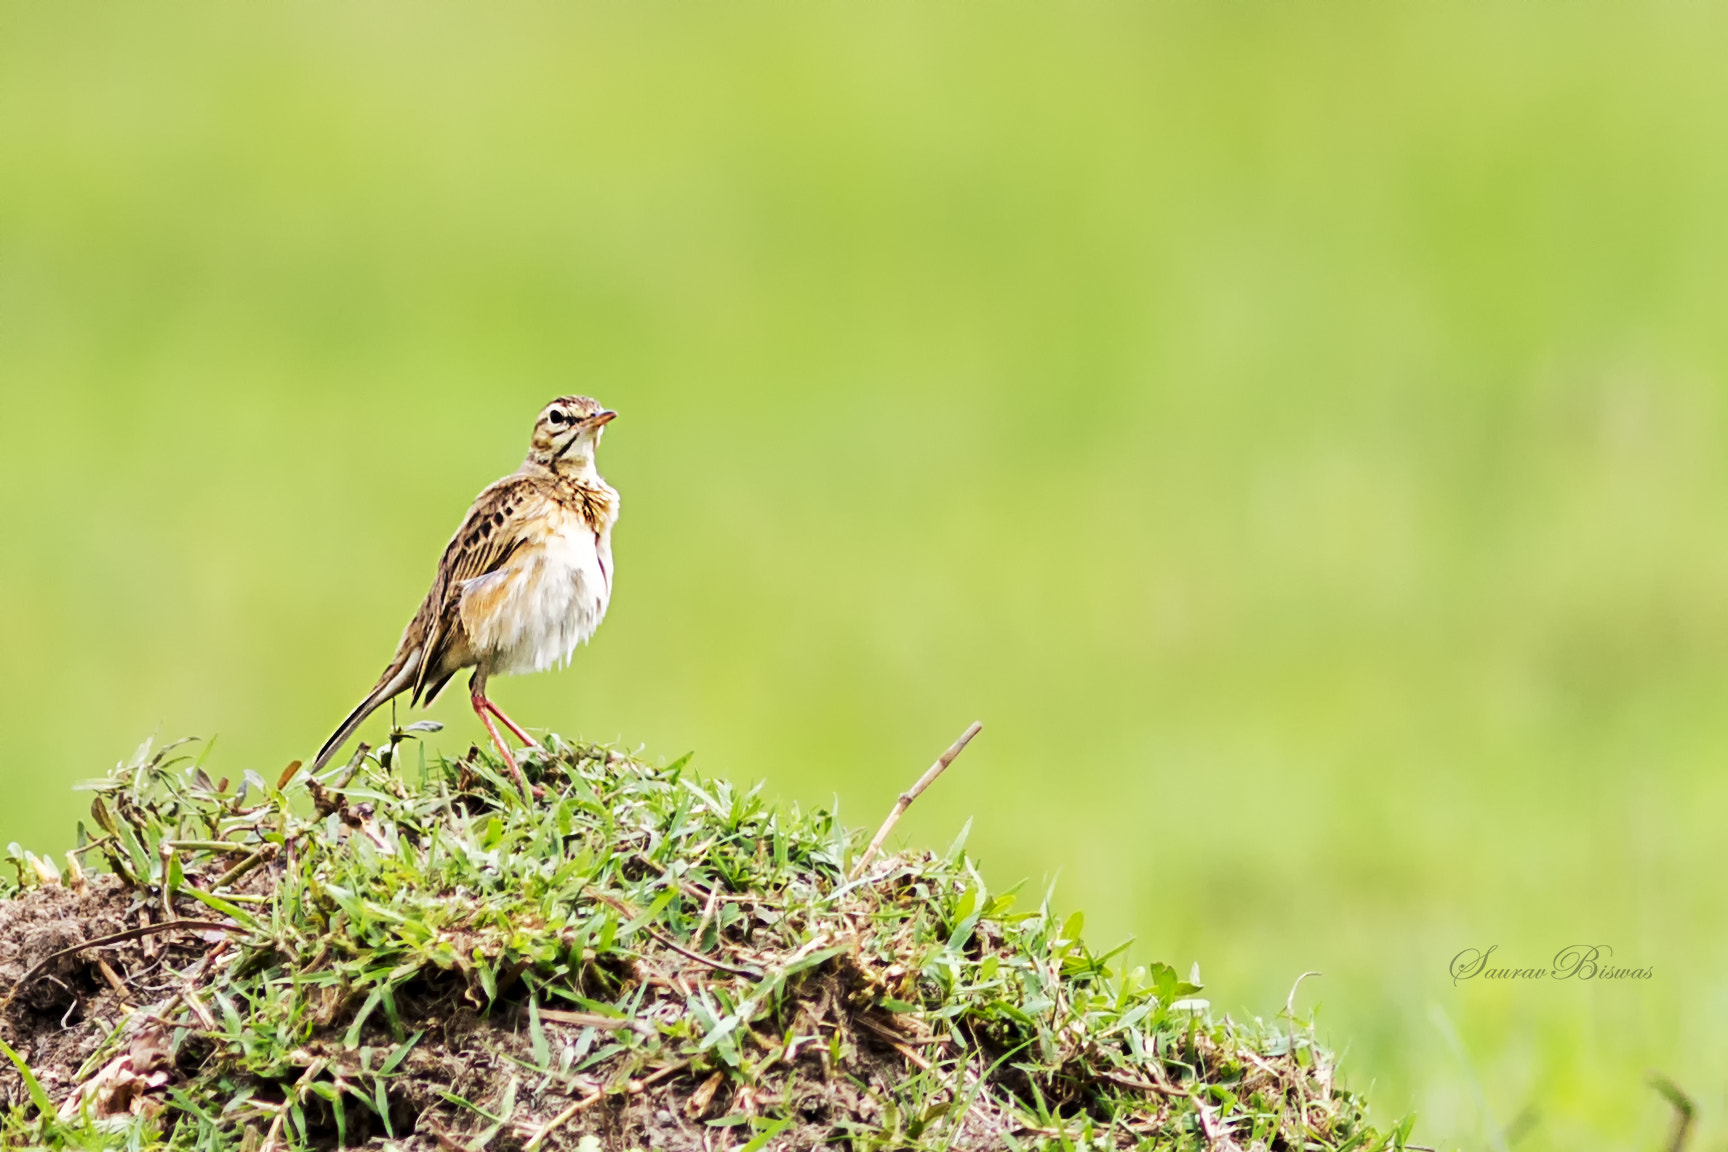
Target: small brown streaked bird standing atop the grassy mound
[[521, 585]]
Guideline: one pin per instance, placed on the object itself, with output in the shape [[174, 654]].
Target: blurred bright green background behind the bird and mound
[[1297, 431]]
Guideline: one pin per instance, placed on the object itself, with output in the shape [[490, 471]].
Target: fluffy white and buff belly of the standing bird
[[542, 604]]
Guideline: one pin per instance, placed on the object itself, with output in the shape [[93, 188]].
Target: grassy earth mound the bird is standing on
[[412, 956]]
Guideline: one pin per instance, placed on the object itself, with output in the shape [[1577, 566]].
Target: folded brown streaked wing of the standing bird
[[490, 535]]
